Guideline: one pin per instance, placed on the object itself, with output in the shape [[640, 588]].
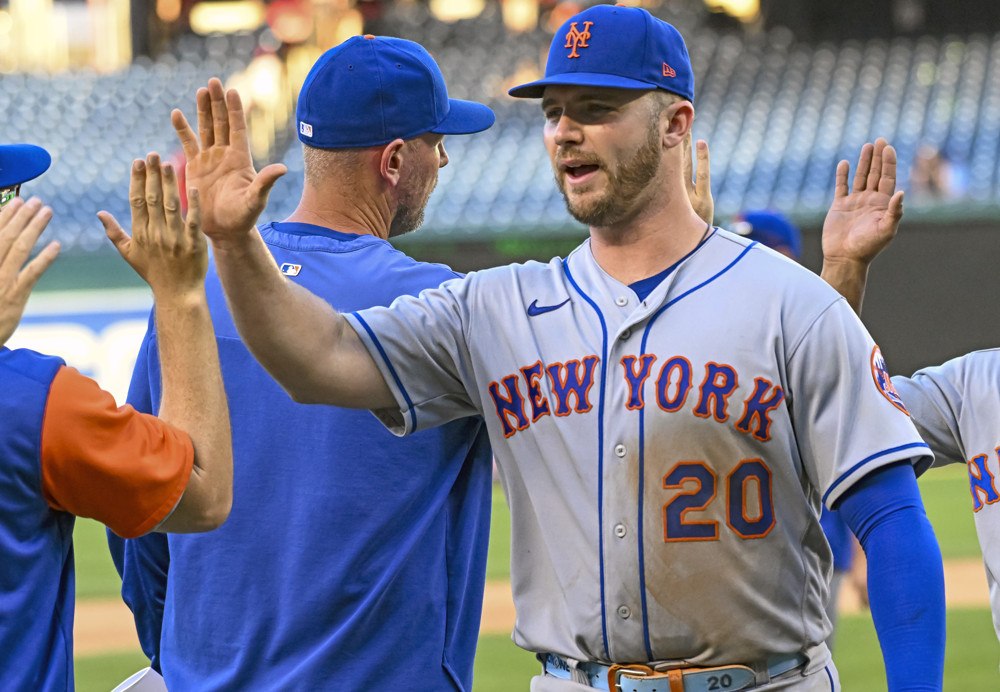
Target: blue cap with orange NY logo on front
[[616, 46]]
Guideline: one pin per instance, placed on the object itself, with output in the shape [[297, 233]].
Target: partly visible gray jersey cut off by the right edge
[[954, 407]]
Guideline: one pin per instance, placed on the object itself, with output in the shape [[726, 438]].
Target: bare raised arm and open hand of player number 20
[[307, 346]]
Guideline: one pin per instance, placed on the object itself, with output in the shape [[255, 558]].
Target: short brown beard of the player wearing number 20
[[624, 187]]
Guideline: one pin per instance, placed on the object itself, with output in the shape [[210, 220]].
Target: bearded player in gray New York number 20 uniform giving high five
[[669, 405]]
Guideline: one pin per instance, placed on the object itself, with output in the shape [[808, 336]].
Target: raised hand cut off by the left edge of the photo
[[21, 223]]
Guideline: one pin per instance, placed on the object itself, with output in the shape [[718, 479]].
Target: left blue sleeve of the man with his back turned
[[142, 562]]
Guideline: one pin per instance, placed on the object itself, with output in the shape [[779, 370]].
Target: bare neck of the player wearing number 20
[[646, 245]]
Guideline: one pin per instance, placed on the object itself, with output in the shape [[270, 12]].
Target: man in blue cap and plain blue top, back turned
[[351, 558]]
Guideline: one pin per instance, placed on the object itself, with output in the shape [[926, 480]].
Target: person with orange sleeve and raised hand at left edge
[[67, 450]]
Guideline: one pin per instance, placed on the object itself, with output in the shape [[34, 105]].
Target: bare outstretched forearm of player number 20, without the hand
[[307, 347]]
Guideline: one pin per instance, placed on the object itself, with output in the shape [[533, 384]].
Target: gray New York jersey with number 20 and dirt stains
[[664, 460]]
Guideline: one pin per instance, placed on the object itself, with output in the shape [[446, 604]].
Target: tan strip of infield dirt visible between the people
[[105, 625]]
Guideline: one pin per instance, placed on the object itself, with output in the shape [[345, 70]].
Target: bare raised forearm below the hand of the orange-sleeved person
[[194, 400]]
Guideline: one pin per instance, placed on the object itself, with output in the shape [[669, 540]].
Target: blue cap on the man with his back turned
[[370, 90]]
